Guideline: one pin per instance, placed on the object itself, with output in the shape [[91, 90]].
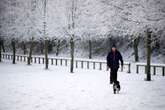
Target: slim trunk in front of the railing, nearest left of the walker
[[72, 55]]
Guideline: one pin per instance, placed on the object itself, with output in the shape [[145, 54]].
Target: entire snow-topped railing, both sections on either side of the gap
[[84, 63]]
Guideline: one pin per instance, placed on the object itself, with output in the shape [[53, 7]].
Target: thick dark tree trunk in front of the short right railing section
[[148, 49]]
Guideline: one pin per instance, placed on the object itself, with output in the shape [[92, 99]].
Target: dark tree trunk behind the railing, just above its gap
[[135, 45]]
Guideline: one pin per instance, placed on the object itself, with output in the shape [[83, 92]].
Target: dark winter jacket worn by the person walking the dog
[[113, 59]]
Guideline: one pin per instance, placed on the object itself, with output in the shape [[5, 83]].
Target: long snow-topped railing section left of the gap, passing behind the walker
[[79, 63]]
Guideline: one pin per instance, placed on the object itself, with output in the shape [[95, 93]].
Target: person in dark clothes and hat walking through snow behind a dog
[[113, 63]]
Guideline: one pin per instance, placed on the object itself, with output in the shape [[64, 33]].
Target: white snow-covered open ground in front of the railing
[[32, 87]]
